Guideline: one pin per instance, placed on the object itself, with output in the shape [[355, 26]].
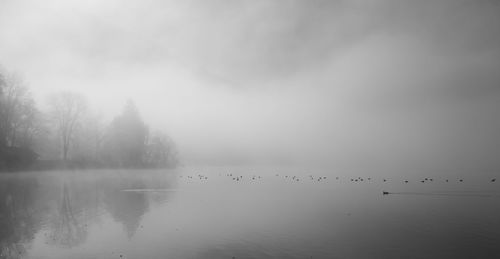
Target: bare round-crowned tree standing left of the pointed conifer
[[68, 109]]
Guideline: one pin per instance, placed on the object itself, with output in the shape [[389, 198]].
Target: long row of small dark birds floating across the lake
[[294, 178]]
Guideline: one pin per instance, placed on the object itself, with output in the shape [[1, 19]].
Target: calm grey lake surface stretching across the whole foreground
[[178, 214]]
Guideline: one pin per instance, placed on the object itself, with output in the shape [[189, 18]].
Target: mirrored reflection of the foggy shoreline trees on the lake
[[67, 207]]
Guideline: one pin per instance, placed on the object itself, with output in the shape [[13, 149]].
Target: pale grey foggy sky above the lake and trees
[[387, 84]]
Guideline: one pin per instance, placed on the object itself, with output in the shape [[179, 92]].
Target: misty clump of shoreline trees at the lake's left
[[69, 135]]
